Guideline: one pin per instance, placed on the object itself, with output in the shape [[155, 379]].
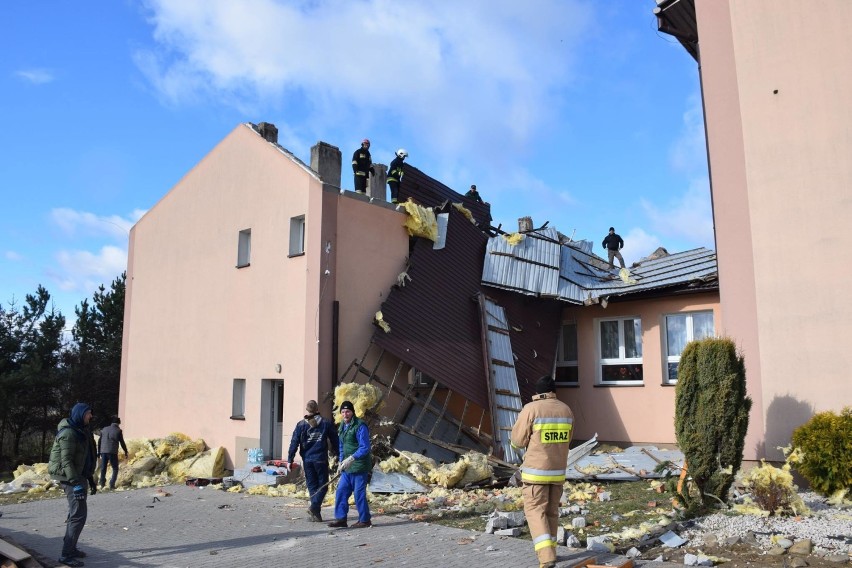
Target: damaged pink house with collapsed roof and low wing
[[257, 283]]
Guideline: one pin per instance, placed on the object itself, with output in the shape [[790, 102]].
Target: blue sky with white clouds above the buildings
[[575, 112]]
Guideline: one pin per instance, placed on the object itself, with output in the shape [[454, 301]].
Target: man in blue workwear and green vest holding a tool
[[354, 469]]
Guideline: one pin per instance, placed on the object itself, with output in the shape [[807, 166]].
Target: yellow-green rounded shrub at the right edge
[[822, 451]]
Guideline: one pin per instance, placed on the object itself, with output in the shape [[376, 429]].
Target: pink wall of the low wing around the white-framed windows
[[628, 414]]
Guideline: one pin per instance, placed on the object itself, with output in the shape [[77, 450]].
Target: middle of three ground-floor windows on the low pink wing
[[620, 351]]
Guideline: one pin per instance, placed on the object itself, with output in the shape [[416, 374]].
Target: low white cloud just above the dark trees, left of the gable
[[84, 271]]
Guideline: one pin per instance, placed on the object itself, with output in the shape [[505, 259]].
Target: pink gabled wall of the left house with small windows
[[194, 321]]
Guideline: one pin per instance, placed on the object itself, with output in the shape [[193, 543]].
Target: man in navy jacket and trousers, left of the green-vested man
[[313, 437]]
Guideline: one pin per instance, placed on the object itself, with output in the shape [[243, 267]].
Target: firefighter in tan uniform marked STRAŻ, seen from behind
[[544, 428]]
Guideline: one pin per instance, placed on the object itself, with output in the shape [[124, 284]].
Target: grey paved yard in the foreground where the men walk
[[206, 527]]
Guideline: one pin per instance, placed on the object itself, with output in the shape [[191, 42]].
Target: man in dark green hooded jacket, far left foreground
[[72, 462]]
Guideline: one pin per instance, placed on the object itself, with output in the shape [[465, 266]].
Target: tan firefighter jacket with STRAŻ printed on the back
[[544, 427]]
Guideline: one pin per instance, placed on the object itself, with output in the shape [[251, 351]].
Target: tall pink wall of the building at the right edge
[[776, 94]]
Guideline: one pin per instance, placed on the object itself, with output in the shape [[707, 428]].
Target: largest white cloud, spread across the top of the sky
[[470, 72]]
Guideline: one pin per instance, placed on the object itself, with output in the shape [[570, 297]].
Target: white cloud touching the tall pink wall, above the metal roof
[[688, 217]]
